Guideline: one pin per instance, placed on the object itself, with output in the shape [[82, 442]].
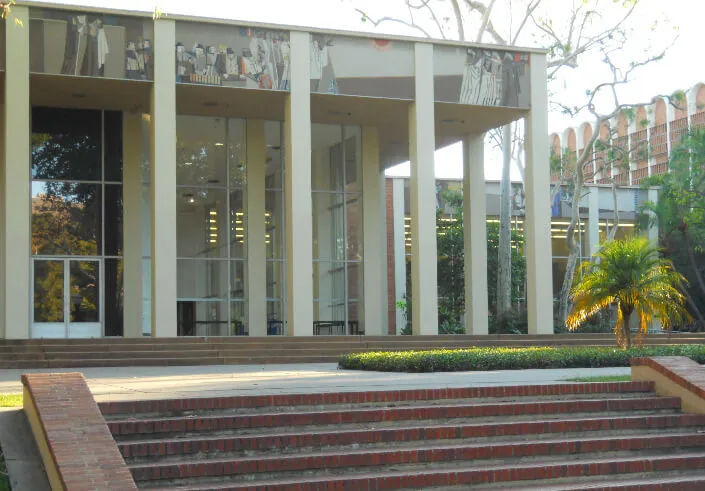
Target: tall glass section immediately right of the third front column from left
[[336, 164]]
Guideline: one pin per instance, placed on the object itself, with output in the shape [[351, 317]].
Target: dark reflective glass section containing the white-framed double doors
[[77, 233]]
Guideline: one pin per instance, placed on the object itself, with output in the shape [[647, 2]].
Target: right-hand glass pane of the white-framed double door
[[84, 284]]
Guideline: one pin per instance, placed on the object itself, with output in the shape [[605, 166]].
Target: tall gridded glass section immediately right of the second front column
[[211, 207]]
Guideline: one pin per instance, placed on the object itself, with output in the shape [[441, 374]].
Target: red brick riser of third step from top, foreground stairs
[[344, 439]]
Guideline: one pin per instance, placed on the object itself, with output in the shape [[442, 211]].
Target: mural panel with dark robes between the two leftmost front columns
[[90, 45]]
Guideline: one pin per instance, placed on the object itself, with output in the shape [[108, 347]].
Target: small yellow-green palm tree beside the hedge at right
[[631, 275]]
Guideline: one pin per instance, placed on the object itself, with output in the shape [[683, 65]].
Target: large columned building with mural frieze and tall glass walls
[[199, 177]]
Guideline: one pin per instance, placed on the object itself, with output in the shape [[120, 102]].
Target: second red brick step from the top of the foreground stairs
[[419, 412]]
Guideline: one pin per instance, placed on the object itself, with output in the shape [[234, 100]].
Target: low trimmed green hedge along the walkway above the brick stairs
[[498, 358]]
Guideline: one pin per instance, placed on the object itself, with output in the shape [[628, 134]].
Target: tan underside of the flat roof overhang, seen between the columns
[[390, 116]]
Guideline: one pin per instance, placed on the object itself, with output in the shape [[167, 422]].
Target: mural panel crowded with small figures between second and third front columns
[[232, 56]]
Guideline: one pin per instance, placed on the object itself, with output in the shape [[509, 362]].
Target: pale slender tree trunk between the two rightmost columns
[[504, 250]]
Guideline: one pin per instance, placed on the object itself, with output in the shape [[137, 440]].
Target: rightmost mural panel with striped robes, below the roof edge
[[481, 77]]
